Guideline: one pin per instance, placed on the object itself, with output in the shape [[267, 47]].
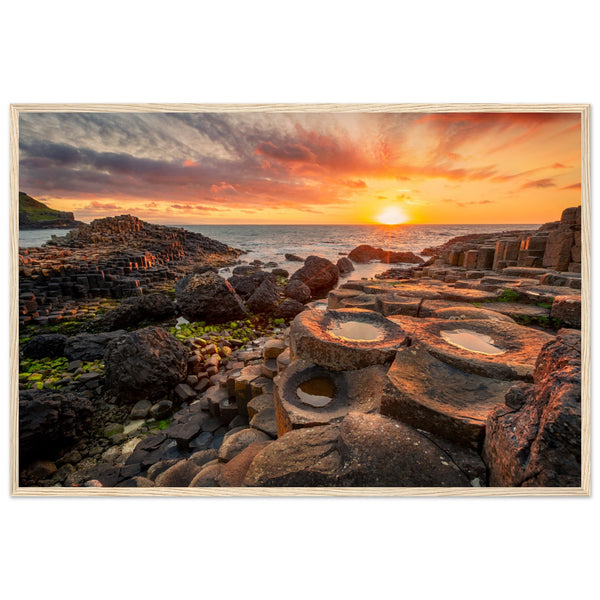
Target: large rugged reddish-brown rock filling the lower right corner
[[539, 444]]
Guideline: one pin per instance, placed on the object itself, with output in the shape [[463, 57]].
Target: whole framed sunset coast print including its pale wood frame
[[300, 299]]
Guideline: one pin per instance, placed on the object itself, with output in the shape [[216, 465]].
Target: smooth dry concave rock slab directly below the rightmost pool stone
[[429, 394]]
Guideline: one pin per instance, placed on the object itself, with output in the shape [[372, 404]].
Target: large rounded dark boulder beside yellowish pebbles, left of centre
[[145, 364]]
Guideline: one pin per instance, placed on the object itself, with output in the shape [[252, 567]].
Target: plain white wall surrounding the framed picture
[[510, 51]]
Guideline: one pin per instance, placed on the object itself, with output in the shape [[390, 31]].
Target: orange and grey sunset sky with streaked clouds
[[304, 168]]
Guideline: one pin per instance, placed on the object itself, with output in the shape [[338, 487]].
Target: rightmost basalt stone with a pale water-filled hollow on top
[[483, 347]]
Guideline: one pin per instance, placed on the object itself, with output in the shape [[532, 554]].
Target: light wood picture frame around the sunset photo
[[583, 110]]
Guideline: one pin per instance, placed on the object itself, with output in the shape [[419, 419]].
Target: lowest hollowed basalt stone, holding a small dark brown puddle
[[307, 395]]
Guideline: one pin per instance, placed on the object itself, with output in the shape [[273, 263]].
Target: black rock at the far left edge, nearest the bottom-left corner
[[50, 421]]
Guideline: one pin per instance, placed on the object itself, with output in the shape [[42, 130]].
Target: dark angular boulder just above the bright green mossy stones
[[208, 297]]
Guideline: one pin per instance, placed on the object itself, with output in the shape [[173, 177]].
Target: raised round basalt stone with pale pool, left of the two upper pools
[[345, 339]]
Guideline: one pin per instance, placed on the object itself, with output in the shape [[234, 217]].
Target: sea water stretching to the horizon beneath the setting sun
[[272, 242]]
